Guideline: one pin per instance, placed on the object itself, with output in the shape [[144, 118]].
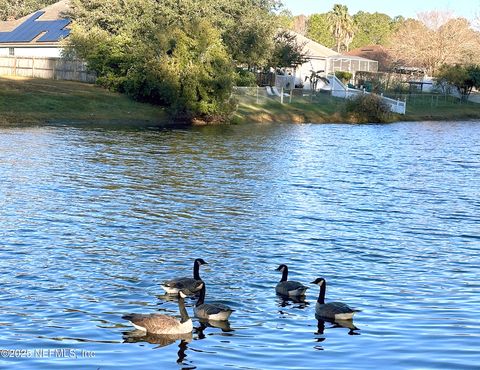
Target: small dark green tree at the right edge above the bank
[[464, 78]]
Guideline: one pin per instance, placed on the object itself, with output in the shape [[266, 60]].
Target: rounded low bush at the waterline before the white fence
[[368, 108]]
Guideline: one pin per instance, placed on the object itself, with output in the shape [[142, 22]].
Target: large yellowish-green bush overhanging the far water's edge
[[186, 69]]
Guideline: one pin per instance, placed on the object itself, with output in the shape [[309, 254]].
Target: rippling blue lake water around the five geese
[[93, 219]]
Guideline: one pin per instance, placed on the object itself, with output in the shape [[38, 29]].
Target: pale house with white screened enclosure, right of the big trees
[[321, 58]]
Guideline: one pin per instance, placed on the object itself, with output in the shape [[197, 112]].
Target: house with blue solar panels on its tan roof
[[39, 34]]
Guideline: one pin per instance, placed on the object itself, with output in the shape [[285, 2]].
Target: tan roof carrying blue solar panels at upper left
[[46, 26]]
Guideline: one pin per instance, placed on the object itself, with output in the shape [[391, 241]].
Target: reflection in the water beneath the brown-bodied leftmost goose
[[162, 340]]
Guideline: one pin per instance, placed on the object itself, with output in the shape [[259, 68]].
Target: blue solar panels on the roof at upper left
[[32, 27]]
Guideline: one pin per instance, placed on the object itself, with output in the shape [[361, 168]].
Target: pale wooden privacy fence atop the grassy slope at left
[[51, 68]]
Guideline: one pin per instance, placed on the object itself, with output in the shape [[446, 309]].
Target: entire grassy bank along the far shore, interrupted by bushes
[[39, 101]]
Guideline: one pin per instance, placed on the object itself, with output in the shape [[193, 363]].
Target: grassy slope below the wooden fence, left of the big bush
[[39, 101]]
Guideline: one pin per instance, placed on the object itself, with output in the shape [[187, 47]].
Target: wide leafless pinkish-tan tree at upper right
[[436, 38]]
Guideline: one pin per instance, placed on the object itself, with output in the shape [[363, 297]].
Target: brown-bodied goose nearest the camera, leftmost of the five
[[163, 324]]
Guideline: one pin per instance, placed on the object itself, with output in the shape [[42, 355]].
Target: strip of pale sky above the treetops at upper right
[[408, 8]]
